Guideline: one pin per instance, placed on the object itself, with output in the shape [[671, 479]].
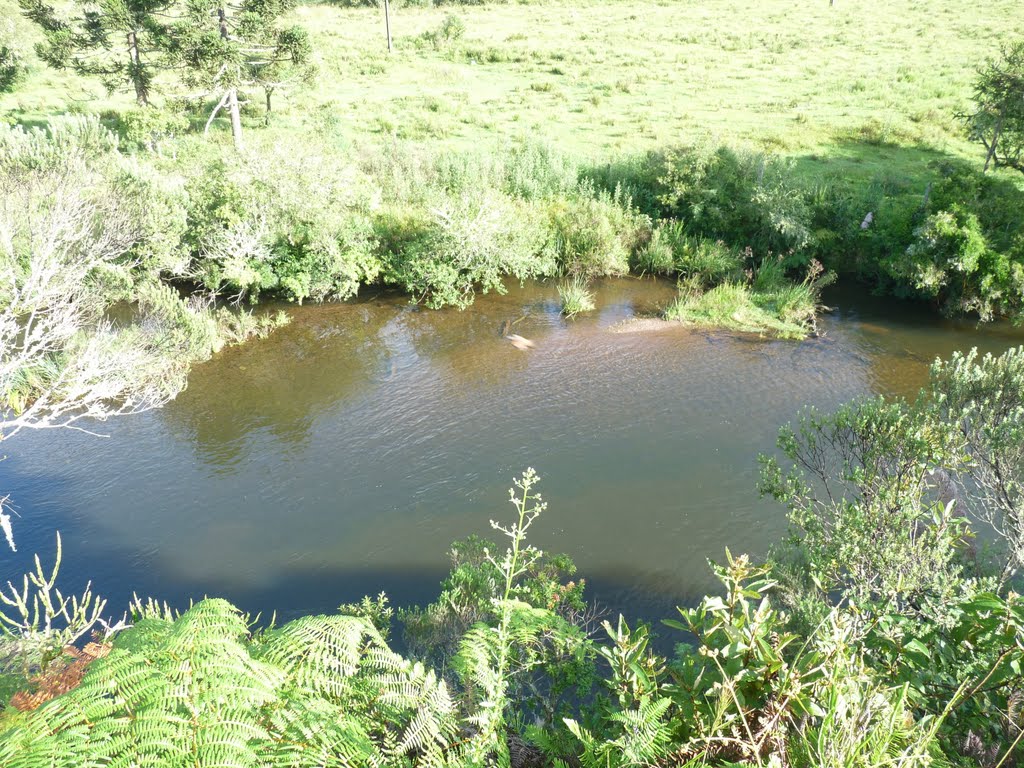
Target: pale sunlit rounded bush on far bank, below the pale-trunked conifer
[[298, 228]]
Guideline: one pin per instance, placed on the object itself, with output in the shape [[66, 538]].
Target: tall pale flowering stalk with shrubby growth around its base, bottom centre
[[526, 657]]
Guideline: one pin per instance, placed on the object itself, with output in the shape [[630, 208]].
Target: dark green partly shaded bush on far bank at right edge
[[958, 245]]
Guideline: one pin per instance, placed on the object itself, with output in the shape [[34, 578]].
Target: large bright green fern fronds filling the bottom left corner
[[201, 692]]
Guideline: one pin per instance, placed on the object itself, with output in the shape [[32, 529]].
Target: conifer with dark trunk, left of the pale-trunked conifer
[[117, 40]]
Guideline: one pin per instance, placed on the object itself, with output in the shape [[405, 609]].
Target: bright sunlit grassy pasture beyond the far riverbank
[[871, 87]]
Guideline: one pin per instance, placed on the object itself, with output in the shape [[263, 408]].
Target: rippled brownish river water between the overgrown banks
[[342, 456]]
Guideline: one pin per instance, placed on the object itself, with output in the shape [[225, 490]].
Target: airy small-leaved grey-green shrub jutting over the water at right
[[865, 505]]
